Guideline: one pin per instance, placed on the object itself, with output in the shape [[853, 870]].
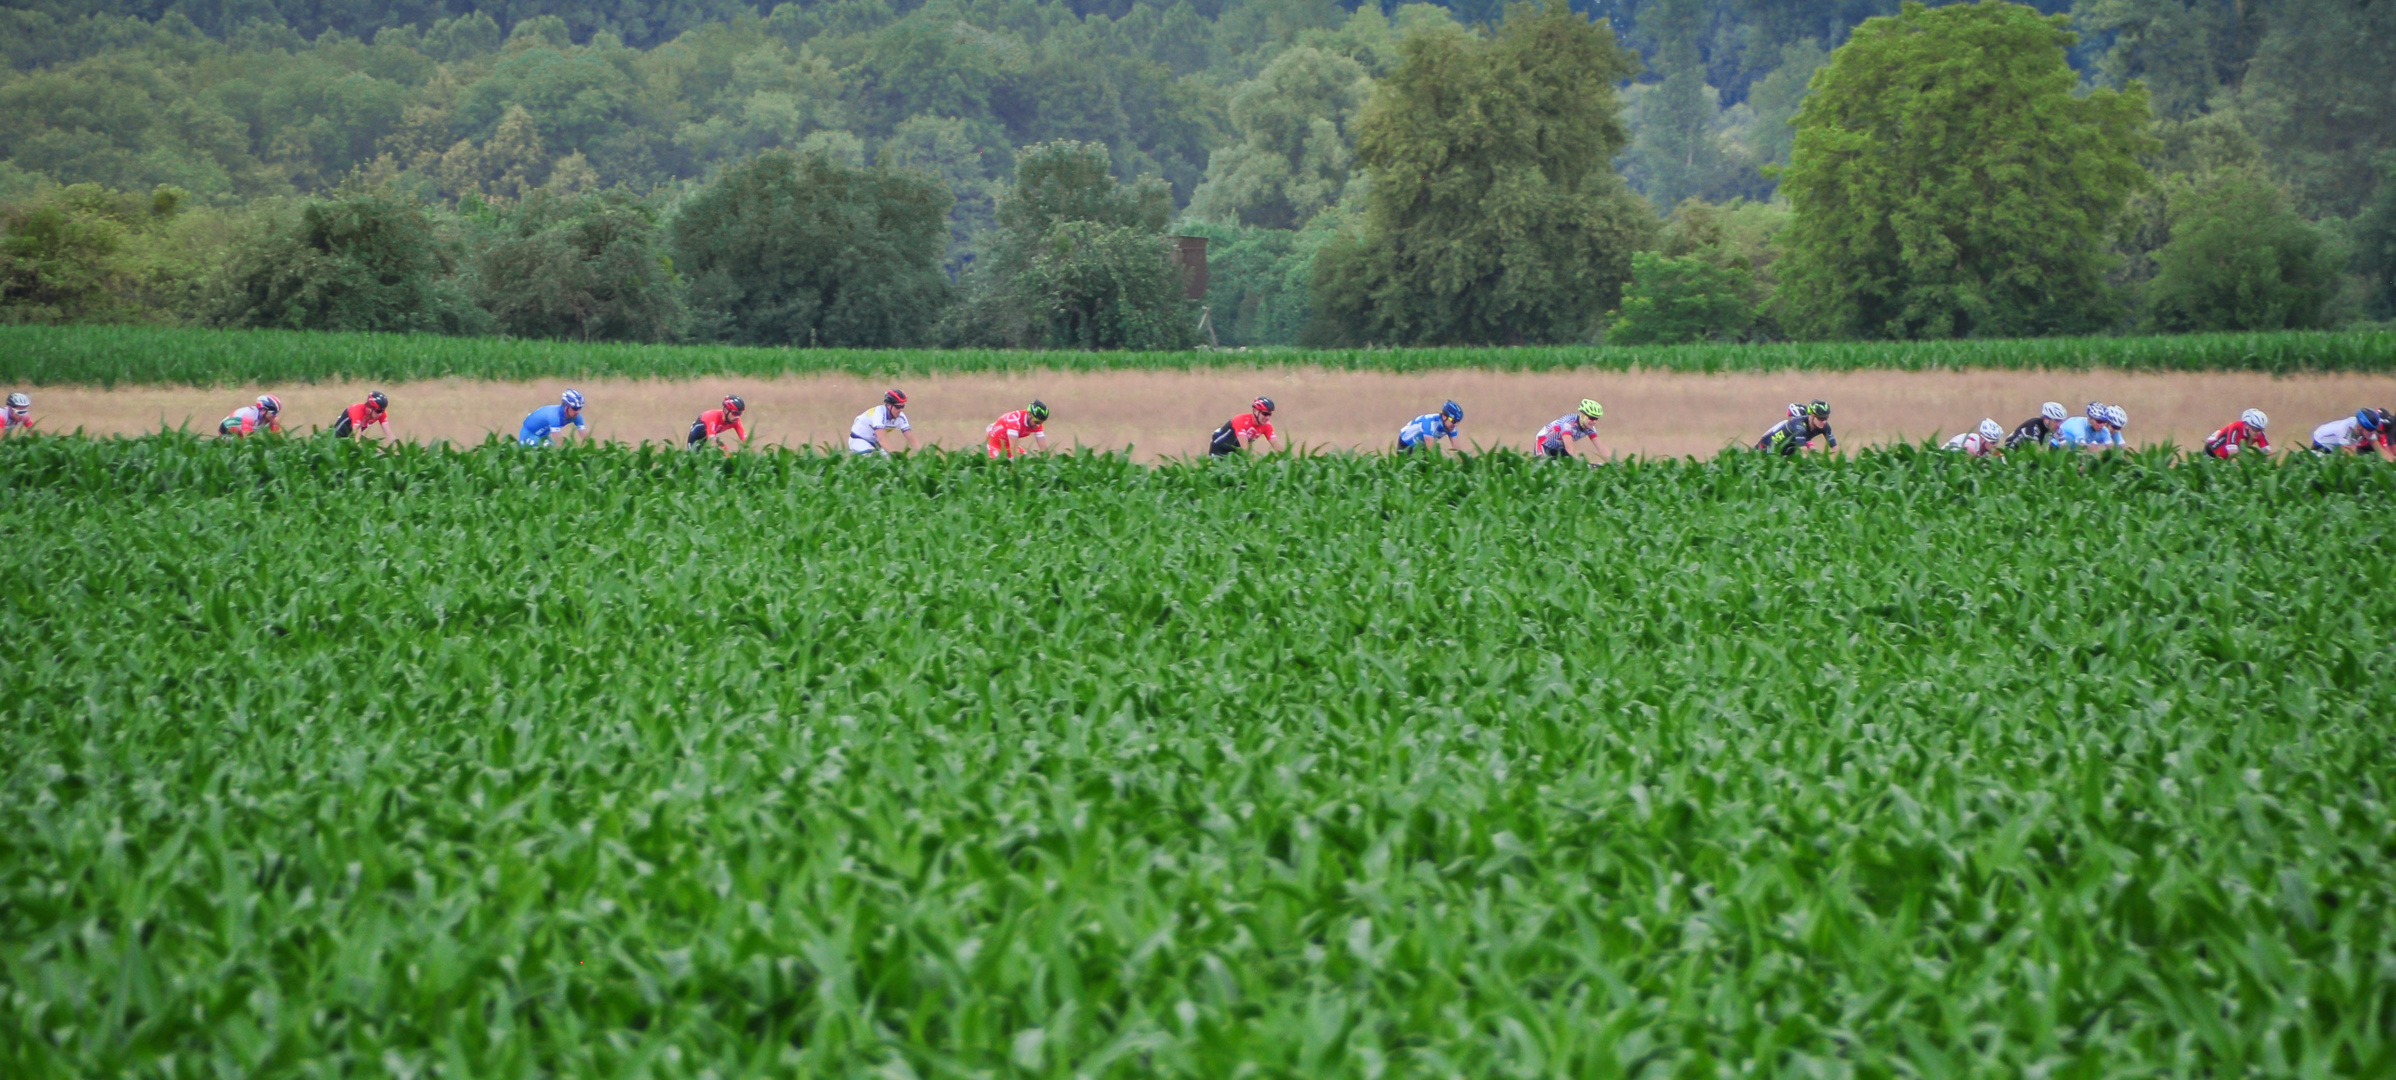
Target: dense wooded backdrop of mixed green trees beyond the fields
[[1012, 171]]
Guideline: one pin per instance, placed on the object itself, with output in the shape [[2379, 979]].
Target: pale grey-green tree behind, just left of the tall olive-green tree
[[1295, 152]]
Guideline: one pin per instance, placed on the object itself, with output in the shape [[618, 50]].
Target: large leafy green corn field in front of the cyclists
[[490, 763]]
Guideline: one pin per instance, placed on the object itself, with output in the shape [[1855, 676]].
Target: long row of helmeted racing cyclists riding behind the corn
[[1027, 430]]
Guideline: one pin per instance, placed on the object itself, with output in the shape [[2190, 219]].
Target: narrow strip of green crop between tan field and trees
[[116, 356]]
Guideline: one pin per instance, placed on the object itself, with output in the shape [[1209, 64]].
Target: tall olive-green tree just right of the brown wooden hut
[[1496, 214]]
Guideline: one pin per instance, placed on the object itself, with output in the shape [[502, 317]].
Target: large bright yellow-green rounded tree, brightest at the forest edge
[[1949, 181]]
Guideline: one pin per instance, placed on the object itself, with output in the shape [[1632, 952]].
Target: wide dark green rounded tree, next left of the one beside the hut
[[813, 253]]
